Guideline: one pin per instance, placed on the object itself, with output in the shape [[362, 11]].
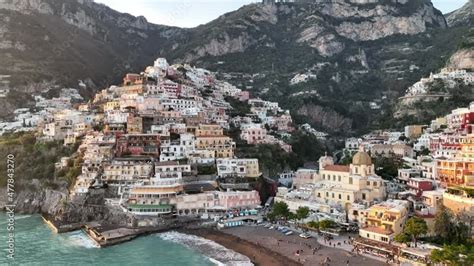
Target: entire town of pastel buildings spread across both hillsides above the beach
[[165, 142]]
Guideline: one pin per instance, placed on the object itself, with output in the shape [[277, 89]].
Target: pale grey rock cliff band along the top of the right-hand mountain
[[322, 26]]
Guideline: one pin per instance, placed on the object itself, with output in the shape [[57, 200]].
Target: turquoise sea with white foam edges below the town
[[36, 244]]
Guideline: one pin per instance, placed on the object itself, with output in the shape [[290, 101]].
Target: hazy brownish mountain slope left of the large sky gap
[[48, 43]]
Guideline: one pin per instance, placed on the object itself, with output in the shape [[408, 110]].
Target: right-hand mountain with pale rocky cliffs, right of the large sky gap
[[361, 54]]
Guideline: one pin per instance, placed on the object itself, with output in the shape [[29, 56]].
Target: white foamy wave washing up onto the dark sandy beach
[[216, 253]]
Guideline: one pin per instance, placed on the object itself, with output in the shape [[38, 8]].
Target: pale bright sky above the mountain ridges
[[191, 13]]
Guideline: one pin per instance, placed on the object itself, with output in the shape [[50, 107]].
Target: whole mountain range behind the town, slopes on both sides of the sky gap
[[357, 54]]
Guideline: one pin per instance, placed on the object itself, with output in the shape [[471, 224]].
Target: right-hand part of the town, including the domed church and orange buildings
[[436, 174]]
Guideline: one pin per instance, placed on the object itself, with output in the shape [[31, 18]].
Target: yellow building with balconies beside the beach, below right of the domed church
[[385, 220]]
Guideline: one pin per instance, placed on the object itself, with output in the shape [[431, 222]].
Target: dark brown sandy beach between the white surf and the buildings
[[270, 247]]
